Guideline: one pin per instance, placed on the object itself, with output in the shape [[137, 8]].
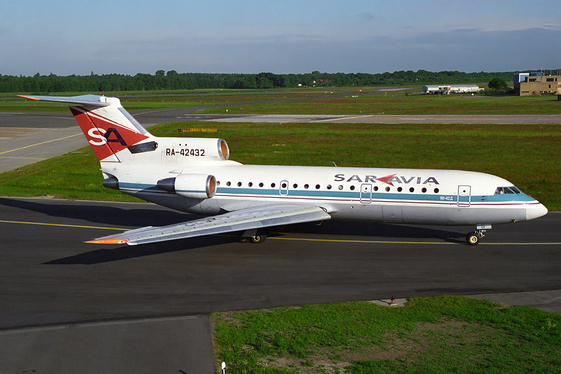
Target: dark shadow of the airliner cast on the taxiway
[[155, 216]]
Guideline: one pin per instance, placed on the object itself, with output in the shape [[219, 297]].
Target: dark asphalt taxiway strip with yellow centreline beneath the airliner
[[52, 277]]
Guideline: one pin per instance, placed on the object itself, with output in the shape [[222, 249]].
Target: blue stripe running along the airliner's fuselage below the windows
[[347, 195]]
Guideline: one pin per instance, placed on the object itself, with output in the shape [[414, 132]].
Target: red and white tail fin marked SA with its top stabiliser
[[108, 127]]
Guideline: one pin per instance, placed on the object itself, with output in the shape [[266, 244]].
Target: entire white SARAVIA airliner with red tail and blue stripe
[[194, 175]]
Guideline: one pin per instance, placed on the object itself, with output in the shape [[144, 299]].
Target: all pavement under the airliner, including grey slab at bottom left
[[147, 307]]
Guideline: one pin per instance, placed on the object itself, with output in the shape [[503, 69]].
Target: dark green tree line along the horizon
[[172, 80]]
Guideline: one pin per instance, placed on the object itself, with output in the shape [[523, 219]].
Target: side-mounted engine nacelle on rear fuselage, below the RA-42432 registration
[[193, 186]]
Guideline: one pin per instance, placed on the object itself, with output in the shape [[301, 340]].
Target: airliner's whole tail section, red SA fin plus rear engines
[[138, 163]]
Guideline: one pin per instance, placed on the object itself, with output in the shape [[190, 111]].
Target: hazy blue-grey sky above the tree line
[[65, 37]]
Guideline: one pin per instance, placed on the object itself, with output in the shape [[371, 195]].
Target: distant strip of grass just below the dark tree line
[[315, 101]]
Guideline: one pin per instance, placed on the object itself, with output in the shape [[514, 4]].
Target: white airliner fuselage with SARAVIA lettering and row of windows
[[387, 195]]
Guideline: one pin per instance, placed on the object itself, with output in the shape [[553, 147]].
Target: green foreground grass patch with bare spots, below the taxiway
[[430, 335]]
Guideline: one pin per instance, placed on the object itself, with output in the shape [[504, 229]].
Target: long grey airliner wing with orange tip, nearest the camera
[[239, 220]]
